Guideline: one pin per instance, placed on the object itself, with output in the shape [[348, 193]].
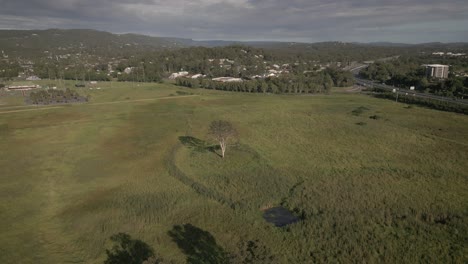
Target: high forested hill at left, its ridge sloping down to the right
[[31, 43]]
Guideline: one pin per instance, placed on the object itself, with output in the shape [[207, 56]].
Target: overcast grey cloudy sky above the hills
[[399, 21]]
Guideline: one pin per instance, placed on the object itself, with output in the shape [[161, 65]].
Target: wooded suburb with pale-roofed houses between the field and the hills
[[232, 61]]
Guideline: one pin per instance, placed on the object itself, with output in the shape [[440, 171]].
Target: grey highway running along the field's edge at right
[[402, 91]]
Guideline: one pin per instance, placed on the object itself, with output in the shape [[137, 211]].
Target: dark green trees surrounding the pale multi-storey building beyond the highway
[[408, 71]]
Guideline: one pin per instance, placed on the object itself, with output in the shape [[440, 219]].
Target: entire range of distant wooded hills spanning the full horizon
[[53, 42]]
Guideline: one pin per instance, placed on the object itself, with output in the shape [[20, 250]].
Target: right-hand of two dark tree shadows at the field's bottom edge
[[199, 245]]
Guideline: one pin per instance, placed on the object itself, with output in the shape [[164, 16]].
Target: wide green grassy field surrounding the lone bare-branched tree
[[388, 189]]
